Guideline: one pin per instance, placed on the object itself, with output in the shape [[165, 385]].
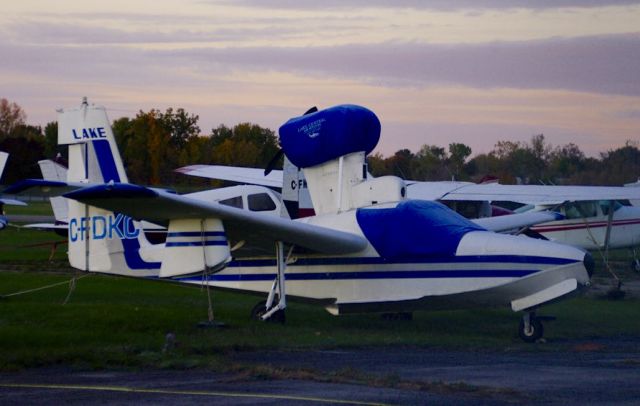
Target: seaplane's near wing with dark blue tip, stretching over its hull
[[262, 231]]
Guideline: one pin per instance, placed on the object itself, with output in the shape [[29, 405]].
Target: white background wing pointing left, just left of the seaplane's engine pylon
[[254, 176]]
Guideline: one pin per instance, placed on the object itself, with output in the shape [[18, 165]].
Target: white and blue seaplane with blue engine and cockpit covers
[[368, 248]]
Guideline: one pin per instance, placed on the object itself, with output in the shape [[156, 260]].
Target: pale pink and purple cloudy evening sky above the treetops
[[434, 72]]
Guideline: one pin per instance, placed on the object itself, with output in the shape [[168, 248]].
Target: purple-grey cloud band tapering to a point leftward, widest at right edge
[[603, 64]]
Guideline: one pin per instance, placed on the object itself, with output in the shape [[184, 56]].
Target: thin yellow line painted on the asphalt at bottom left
[[126, 389]]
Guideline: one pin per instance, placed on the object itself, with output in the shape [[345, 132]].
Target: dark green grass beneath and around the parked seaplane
[[121, 322]]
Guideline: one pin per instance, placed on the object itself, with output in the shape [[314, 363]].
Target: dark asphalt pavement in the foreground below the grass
[[599, 371]]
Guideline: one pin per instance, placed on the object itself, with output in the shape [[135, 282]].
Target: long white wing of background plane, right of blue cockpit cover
[[528, 194]]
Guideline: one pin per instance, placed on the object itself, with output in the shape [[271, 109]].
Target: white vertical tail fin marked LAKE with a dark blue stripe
[[100, 240]]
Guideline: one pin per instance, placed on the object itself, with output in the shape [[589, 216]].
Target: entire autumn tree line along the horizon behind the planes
[[154, 143]]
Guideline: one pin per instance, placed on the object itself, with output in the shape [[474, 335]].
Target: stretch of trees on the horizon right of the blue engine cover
[[533, 162]]
